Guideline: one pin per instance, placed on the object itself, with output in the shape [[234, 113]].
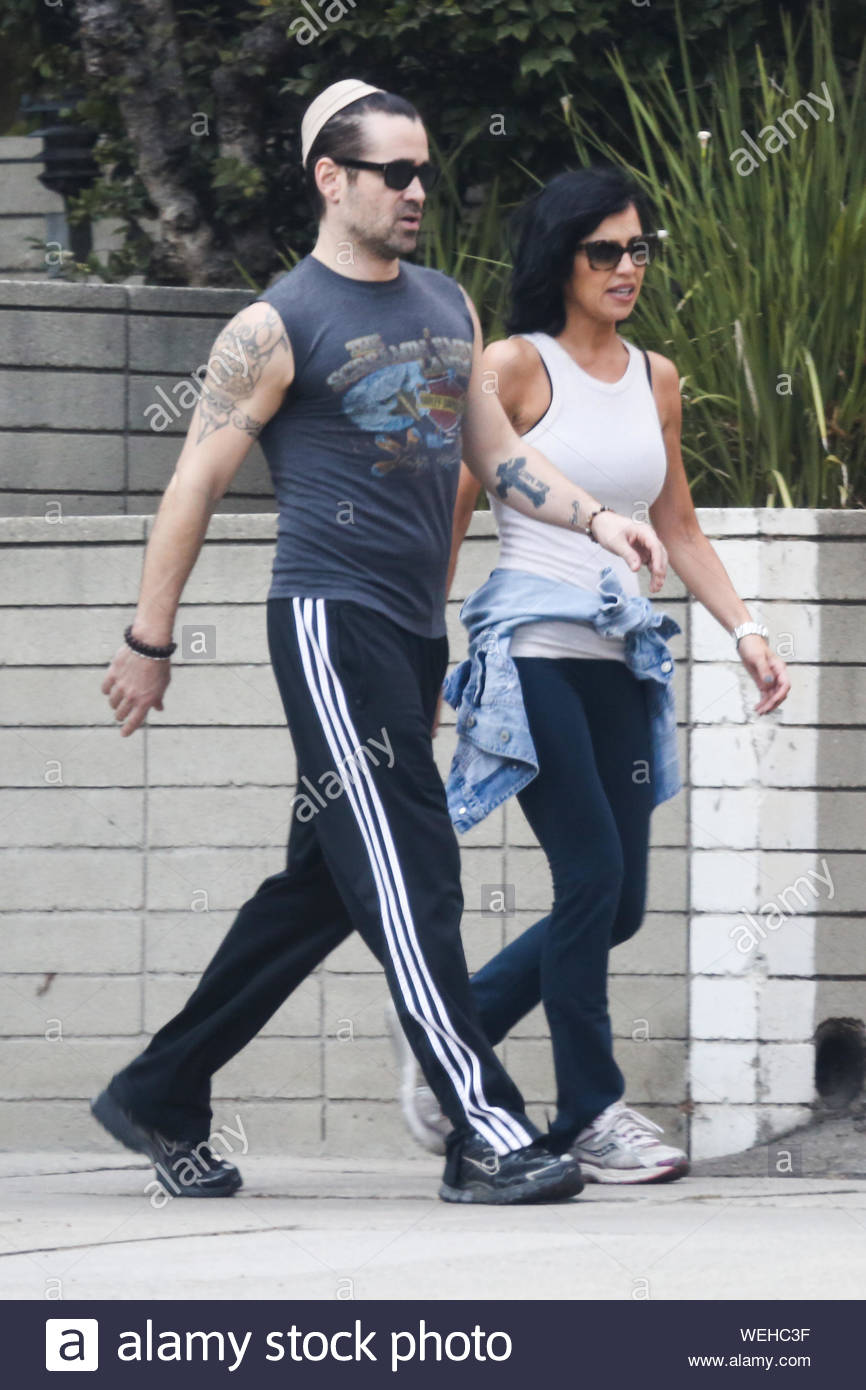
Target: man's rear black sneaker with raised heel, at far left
[[183, 1167]]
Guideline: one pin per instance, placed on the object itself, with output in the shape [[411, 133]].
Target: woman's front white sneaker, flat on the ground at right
[[621, 1147]]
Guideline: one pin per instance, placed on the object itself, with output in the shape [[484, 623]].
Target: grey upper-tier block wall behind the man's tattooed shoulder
[[80, 368]]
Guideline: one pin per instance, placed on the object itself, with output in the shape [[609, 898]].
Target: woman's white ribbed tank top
[[604, 436]]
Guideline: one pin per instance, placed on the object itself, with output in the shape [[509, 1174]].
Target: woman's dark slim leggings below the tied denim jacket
[[590, 810]]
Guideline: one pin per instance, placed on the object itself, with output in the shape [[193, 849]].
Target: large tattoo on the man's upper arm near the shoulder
[[234, 370]]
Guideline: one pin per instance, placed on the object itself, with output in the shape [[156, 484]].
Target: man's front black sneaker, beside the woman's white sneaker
[[476, 1174]]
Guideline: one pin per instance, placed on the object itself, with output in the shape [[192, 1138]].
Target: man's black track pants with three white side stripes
[[372, 849]]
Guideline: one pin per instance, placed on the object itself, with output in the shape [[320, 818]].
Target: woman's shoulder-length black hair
[[546, 233]]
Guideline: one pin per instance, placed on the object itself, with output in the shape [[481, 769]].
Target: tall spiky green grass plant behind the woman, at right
[[761, 295]]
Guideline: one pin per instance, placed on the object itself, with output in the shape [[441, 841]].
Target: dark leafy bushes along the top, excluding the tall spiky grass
[[461, 62]]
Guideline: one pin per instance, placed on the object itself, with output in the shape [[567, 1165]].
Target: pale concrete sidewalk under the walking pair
[[83, 1227]]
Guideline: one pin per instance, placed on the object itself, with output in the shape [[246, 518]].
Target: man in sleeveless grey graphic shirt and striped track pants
[[362, 375]]
